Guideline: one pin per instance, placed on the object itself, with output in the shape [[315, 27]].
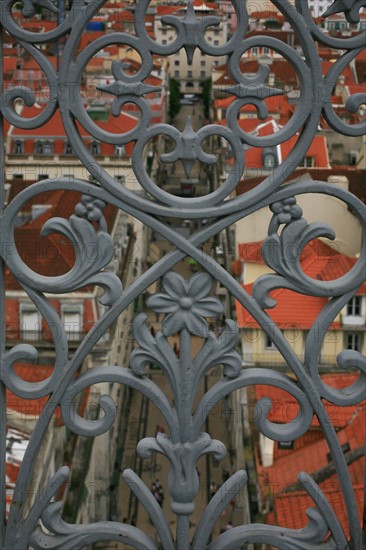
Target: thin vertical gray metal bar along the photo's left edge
[[2, 327]]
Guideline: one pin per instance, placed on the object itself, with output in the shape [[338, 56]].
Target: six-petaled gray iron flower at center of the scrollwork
[[186, 303]]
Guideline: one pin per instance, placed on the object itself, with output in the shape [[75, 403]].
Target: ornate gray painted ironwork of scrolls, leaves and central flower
[[185, 304]]
